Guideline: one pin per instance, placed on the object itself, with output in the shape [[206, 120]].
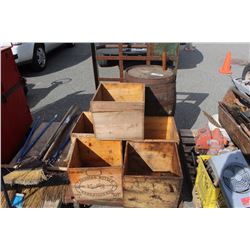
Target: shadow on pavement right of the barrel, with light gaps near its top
[[187, 108]]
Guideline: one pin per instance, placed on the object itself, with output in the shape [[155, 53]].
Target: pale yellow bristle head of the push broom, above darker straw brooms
[[26, 177]]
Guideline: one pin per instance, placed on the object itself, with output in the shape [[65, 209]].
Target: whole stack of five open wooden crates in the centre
[[149, 174]]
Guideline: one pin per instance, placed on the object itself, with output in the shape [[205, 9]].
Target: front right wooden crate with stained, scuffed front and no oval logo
[[152, 174]]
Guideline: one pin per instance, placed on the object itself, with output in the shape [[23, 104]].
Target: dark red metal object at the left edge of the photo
[[16, 116]]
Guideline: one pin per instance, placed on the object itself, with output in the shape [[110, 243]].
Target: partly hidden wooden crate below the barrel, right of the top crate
[[161, 128]]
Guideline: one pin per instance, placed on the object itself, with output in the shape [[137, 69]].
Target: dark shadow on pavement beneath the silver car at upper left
[[59, 59]]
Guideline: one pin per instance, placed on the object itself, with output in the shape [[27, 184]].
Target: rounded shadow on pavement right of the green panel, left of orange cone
[[189, 59]]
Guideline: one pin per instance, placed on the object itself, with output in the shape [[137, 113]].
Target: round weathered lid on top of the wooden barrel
[[149, 72]]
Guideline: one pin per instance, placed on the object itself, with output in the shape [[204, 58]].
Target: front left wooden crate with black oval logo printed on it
[[95, 170]]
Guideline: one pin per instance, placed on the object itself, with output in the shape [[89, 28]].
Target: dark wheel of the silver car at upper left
[[39, 60]]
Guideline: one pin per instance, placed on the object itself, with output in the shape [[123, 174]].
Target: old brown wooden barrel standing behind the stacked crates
[[160, 86]]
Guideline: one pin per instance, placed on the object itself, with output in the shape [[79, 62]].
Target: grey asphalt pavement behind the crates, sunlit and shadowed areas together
[[68, 79]]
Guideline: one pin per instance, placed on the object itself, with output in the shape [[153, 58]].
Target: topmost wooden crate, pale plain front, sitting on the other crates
[[118, 111]]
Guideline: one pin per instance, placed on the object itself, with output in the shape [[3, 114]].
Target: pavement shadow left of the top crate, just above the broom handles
[[61, 106]]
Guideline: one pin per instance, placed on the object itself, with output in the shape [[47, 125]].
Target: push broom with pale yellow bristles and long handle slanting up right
[[32, 170]]
